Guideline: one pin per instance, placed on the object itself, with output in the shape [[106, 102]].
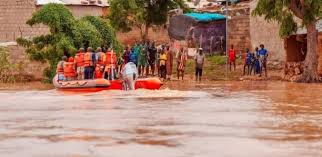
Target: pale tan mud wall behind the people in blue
[[263, 32]]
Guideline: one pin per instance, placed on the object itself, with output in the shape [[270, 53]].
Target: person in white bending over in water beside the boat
[[129, 75]]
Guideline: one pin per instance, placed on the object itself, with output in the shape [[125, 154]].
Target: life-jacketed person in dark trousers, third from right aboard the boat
[[89, 63]]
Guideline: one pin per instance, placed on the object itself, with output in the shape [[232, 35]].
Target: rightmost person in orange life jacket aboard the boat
[[110, 65]]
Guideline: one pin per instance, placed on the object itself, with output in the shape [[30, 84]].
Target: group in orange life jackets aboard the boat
[[88, 65]]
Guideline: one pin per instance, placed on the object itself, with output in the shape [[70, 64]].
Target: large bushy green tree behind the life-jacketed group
[[66, 35]]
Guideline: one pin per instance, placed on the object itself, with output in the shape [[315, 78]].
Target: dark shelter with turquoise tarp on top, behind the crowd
[[205, 30]]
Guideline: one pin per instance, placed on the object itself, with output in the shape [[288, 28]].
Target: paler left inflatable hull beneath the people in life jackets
[[94, 85]]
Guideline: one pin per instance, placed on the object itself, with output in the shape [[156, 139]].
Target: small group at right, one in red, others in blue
[[255, 62]]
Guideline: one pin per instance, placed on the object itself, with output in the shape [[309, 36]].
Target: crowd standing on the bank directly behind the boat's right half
[[153, 60]]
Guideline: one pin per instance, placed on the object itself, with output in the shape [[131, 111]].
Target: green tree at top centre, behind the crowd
[[125, 14]]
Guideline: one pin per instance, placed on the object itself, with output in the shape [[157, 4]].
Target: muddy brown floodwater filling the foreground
[[232, 119]]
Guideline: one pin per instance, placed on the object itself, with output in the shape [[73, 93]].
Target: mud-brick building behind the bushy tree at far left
[[15, 13]]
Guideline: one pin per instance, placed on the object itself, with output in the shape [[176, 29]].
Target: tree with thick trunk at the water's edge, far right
[[285, 12]]
